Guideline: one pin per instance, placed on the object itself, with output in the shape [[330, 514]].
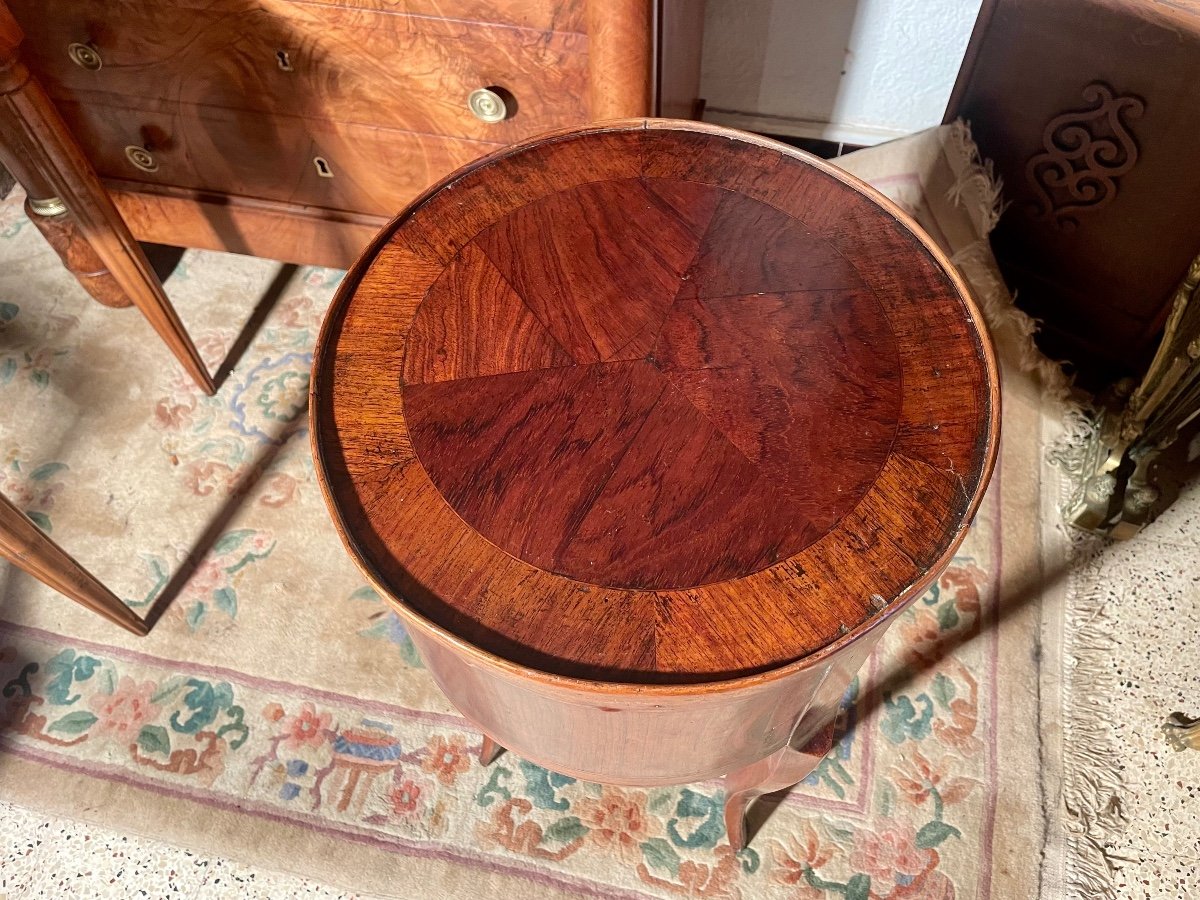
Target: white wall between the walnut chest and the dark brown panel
[[860, 71]]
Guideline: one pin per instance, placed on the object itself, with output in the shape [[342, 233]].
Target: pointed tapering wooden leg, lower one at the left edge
[[26, 545]]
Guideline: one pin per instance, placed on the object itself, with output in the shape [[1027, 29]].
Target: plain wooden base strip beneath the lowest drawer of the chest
[[273, 231]]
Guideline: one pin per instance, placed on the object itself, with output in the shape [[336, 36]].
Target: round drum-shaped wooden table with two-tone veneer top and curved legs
[[649, 430]]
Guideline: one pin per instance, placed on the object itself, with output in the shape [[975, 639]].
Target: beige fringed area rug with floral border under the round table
[[279, 715]]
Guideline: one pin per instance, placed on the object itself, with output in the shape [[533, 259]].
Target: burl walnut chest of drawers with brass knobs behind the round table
[[296, 130]]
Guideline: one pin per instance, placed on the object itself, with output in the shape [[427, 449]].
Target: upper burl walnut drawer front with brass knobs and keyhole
[[311, 61]]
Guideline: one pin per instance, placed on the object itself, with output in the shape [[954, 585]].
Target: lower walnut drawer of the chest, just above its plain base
[[358, 169]]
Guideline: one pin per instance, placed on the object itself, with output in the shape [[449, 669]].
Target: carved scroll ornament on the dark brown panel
[[1085, 153]]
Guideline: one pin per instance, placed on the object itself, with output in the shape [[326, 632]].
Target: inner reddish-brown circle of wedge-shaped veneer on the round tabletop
[[651, 385]]
